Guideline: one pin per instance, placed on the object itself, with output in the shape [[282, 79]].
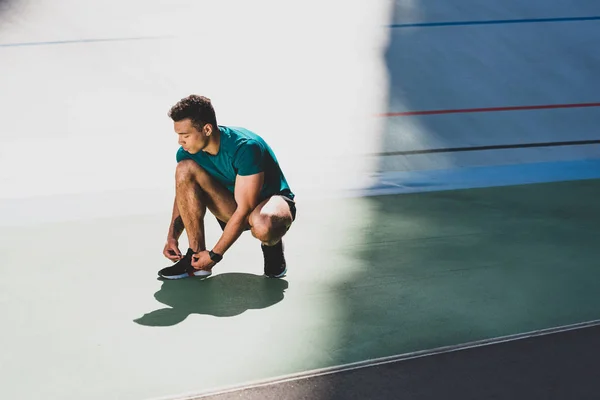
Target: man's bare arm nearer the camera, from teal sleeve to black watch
[[246, 193]]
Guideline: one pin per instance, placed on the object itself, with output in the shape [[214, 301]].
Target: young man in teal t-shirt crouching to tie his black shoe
[[234, 174]]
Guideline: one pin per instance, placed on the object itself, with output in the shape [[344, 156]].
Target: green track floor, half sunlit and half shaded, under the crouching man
[[83, 315]]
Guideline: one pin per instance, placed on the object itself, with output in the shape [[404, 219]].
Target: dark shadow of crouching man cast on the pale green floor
[[223, 295]]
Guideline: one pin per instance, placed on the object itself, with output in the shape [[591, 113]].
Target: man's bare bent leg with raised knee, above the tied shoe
[[196, 191]]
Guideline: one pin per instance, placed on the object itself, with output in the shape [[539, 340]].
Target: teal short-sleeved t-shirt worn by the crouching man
[[242, 152]]
